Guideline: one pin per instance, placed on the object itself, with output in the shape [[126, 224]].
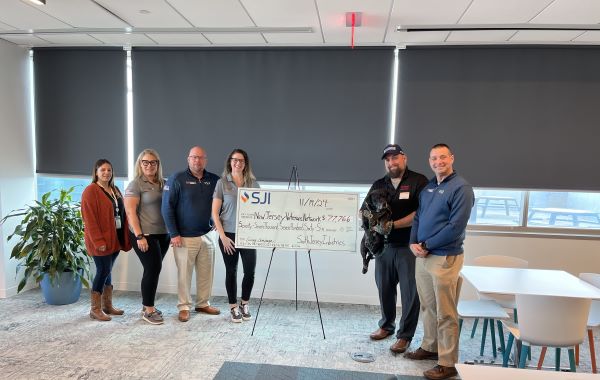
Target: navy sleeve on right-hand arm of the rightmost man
[[460, 212]]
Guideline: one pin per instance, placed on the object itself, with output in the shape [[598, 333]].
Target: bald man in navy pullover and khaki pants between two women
[[186, 208]]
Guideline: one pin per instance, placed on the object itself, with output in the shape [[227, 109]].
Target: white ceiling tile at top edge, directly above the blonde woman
[[159, 13]]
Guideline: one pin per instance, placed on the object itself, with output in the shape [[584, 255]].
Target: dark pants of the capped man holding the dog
[[397, 265]]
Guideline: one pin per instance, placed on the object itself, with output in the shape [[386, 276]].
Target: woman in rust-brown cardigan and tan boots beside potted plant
[[105, 234]]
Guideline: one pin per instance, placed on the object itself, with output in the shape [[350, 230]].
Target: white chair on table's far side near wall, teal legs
[[490, 306]]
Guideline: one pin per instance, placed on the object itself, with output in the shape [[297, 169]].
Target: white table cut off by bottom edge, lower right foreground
[[478, 372]]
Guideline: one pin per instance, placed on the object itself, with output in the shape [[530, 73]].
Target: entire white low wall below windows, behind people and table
[[338, 275]]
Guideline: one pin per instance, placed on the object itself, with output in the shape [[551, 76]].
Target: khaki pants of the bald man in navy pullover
[[196, 253]]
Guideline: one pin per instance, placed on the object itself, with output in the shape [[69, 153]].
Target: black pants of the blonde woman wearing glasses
[[152, 262]]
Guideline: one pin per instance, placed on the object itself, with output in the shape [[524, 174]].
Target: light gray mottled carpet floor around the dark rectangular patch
[[38, 341]]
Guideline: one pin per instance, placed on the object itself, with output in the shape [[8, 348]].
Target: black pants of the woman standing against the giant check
[[231, 261]]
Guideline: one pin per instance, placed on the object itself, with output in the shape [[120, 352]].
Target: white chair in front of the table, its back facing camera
[[548, 321]]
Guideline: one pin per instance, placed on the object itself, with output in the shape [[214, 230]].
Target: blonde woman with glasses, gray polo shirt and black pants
[[147, 231]]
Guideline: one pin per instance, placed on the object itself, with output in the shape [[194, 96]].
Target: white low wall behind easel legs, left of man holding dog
[[338, 276]]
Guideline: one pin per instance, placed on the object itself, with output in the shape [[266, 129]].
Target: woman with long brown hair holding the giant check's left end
[[237, 173]]
